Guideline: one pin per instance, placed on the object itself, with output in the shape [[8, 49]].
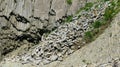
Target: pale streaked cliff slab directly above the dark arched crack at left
[[23, 8]]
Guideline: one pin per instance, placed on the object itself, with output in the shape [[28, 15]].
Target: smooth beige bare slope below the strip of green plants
[[103, 52]]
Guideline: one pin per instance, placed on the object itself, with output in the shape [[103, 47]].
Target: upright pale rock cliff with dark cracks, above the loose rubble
[[30, 19]]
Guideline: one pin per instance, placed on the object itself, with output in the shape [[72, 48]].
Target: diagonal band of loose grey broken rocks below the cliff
[[62, 41]]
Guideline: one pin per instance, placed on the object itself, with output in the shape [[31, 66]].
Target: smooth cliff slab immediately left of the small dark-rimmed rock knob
[[41, 8]]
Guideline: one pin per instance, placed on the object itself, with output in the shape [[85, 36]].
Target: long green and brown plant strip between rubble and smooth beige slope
[[99, 26]]
